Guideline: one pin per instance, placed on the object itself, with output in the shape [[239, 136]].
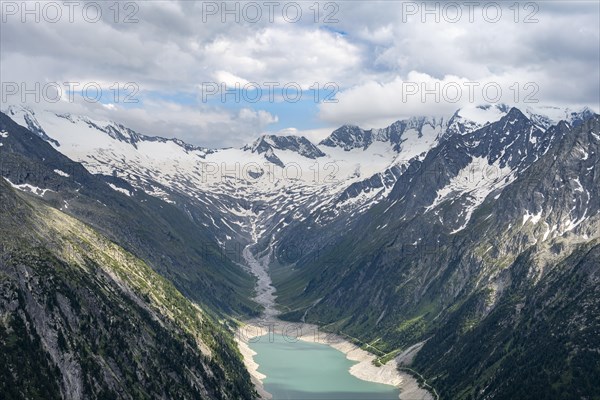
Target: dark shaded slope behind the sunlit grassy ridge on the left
[[174, 242]]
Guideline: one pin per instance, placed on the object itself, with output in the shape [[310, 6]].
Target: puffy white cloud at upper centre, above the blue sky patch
[[285, 54]]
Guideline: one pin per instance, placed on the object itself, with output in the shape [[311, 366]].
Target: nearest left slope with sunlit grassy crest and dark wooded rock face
[[82, 318]]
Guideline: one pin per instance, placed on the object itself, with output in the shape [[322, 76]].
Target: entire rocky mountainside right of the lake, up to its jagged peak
[[461, 252]]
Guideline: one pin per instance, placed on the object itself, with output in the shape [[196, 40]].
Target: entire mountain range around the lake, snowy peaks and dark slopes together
[[475, 237]]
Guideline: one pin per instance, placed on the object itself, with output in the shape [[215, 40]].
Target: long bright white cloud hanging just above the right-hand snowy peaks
[[376, 104]]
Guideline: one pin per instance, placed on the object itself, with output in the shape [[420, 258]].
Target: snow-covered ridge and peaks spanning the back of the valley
[[289, 176]]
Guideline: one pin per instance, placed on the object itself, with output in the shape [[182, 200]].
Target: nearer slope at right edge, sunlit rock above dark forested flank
[[541, 312]]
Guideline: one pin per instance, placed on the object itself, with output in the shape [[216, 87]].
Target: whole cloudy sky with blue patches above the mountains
[[300, 67]]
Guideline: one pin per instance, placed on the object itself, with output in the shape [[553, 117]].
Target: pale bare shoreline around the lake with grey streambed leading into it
[[364, 369]]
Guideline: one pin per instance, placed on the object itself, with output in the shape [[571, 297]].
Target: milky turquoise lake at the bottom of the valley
[[298, 370]]
